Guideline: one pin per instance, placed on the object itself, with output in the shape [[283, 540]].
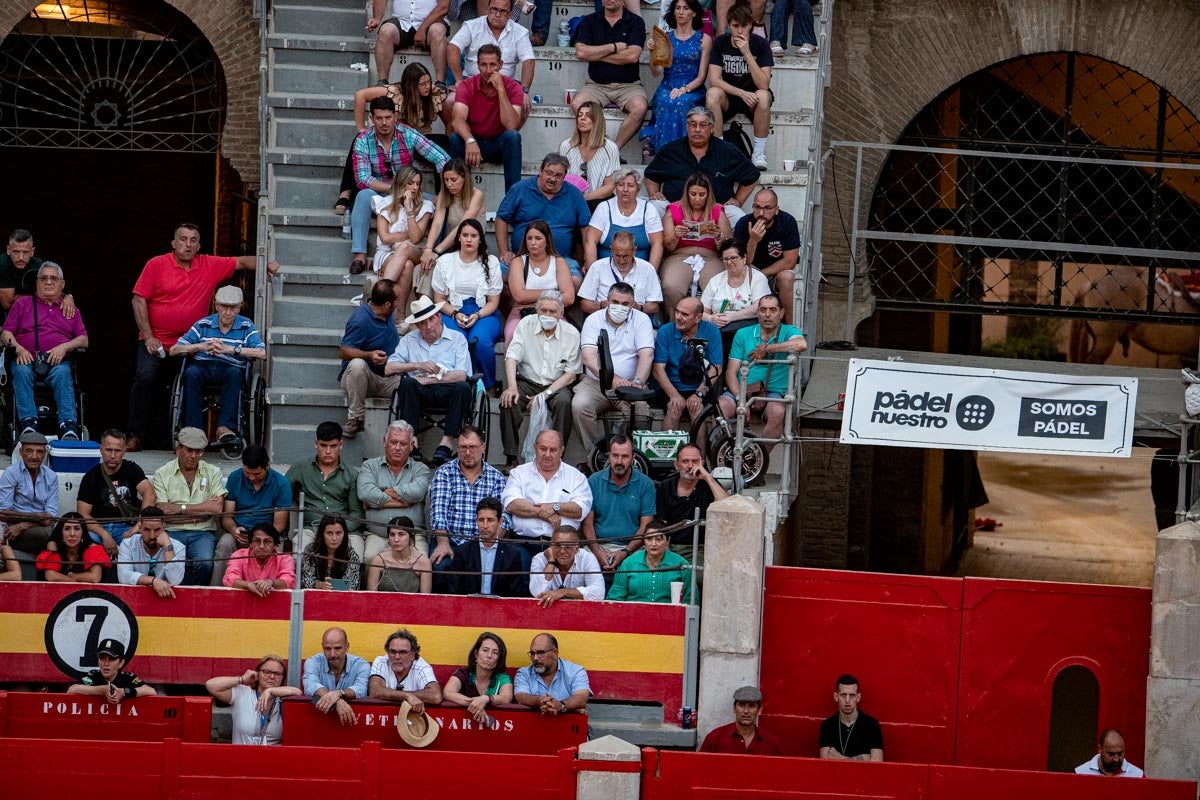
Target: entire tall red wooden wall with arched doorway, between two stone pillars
[[950, 666]]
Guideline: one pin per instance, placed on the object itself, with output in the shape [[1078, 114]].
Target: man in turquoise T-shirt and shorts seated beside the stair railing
[[771, 339]]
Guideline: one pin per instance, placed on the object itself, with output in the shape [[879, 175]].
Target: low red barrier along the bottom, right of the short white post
[[680, 775]]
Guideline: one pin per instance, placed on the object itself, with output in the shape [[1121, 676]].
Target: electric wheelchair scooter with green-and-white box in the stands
[[710, 431]]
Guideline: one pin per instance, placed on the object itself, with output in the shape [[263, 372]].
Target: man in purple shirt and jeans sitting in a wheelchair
[[44, 336]]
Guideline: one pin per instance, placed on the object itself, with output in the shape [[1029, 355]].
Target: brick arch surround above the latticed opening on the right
[[892, 58]]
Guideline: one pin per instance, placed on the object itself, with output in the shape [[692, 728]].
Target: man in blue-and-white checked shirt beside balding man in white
[[458, 488]]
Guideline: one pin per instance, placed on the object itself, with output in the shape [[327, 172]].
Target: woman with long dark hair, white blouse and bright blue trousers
[[469, 281]]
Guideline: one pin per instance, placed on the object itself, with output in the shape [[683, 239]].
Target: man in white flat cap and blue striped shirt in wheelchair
[[221, 346]]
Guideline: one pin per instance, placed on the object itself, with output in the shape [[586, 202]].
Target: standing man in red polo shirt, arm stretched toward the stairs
[[172, 293]]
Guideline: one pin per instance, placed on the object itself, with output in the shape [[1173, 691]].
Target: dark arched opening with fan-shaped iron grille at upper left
[[111, 113]]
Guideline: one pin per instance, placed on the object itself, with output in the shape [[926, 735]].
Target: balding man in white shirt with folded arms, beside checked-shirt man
[[544, 495]]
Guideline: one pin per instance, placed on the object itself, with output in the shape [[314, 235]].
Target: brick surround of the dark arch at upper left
[[233, 34]]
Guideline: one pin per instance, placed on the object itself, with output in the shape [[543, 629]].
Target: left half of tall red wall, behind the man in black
[[898, 634]]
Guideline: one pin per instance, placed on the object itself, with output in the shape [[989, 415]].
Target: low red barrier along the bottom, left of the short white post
[[171, 771]]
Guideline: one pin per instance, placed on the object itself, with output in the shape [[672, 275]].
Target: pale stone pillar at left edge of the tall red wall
[[733, 611]]
